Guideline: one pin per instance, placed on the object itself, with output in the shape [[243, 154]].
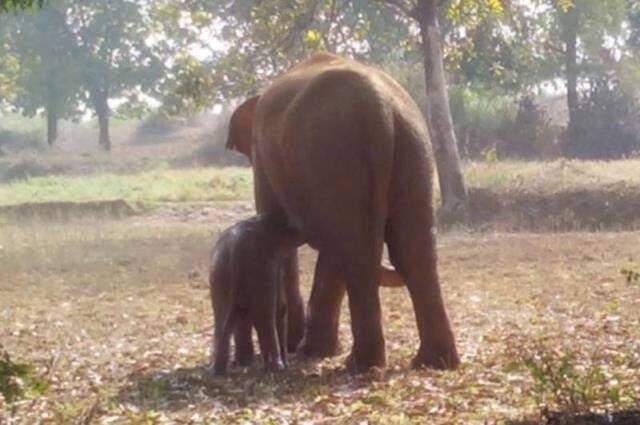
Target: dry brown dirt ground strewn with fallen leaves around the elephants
[[116, 315]]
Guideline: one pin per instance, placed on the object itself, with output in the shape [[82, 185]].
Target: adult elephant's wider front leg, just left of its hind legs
[[321, 333]]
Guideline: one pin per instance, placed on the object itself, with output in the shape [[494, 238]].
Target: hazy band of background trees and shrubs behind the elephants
[[535, 78]]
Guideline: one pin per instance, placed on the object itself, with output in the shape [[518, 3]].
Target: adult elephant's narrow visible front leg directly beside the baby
[[295, 304]]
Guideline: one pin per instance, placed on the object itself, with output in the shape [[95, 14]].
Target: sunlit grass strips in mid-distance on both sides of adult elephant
[[235, 183]]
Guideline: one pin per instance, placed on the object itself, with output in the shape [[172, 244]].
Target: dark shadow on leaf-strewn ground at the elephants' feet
[[304, 381]]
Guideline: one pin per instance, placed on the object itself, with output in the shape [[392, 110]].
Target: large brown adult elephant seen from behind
[[342, 151]]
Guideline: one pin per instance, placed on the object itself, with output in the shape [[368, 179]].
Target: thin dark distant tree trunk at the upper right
[[570, 31]]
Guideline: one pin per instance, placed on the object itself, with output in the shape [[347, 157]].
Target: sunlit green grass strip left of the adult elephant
[[197, 185]]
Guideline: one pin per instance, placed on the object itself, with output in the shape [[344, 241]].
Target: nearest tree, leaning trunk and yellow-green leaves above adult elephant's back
[[263, 38]]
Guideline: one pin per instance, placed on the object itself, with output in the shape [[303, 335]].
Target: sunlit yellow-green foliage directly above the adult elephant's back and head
[[262, 38]]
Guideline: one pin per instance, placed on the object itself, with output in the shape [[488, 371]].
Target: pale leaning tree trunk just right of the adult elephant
[[443, 138]]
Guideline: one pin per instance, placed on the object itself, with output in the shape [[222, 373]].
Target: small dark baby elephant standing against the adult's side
[[247, 287]]
